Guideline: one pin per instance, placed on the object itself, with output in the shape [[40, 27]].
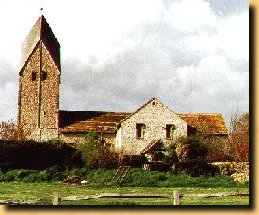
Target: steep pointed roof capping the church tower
[[41, 31]]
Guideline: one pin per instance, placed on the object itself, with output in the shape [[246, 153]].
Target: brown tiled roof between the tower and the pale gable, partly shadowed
[[84, 121]]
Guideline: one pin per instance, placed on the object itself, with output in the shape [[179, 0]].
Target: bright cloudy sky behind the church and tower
[[193, 55]]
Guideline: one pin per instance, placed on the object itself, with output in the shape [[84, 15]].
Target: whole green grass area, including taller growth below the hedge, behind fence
[[28, 185]]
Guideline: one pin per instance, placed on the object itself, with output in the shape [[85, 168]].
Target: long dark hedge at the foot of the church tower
[[37, 155]]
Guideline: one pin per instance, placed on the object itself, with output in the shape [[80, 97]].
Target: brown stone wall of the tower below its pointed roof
[[39, 99]]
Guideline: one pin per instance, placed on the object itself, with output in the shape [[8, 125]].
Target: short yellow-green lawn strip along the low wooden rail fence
[[43, 193]]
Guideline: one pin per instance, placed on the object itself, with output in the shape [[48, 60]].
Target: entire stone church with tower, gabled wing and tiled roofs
[[40, 118]]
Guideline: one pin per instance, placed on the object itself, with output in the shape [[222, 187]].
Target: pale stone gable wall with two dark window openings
[[155, 116]]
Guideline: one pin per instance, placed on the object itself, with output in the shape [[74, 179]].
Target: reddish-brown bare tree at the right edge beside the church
[[238, 142]]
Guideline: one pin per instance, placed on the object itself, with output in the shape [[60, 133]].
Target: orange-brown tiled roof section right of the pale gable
[[206, 123]]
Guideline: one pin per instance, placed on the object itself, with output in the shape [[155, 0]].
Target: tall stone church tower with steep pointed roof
[[38, 102]]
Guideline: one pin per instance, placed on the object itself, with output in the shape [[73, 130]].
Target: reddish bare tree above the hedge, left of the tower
[[10, 131]]
